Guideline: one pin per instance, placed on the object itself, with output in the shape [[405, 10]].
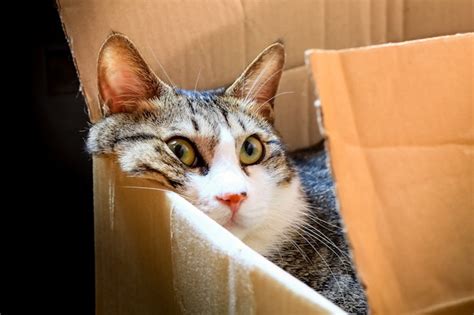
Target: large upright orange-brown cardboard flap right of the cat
[[400, 129]]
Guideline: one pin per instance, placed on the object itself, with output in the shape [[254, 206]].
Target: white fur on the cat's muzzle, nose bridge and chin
[[269, 212]]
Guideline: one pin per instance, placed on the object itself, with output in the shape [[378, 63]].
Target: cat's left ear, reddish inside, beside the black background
[[124, 78]]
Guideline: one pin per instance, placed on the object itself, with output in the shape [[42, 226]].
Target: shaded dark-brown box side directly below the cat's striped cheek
[[131, 241]]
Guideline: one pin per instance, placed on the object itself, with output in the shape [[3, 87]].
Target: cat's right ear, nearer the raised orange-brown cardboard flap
[[259, 82]]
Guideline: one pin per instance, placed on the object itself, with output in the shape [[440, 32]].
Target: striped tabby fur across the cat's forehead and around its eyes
[[139, 138]]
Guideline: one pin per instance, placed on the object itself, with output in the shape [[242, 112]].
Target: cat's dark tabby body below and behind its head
[[318, 255]]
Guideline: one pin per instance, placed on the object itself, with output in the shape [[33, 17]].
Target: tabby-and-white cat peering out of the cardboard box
[[219, 150]]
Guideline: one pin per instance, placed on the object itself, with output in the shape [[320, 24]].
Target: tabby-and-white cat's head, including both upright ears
[[217, 149]]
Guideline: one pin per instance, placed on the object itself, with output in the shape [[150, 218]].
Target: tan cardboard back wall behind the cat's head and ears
[[206, 45]]
